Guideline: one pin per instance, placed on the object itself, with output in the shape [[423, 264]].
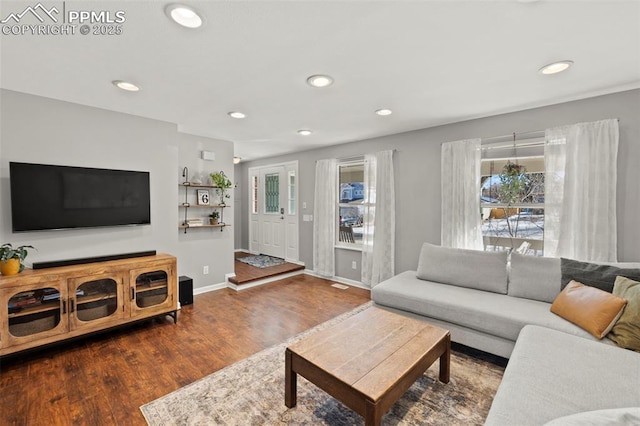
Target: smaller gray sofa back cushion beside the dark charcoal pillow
[[534, 277]]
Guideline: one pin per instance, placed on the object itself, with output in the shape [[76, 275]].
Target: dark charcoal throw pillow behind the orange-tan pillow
[[593, 274]]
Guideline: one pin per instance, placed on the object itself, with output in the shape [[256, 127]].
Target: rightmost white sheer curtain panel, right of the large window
[[580, 210]]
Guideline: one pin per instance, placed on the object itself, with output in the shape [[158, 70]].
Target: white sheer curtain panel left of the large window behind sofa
[[461, 219]]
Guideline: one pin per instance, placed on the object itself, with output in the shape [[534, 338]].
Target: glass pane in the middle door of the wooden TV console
[[96, 299]]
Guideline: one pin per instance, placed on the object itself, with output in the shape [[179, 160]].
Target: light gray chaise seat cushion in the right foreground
[[552, 374]]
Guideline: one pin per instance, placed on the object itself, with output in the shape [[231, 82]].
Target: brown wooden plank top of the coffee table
[[371, 350]]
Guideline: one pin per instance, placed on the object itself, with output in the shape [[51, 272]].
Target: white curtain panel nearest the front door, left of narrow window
[[324, 220]]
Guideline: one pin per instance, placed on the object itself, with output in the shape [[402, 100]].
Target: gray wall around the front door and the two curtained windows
[[417, 167]]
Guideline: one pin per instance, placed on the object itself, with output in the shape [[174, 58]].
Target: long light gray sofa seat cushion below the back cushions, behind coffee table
[[495, 314]]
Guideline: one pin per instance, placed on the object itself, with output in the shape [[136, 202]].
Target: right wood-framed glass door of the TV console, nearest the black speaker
[[150, 290]]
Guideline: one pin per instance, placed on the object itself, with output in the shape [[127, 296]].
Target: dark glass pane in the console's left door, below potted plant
[[35, 311]]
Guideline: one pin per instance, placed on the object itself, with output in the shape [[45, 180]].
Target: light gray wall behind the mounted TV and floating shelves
[[41, 130]]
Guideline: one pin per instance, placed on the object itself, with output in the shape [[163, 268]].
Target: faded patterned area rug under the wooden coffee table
[[251, 392]]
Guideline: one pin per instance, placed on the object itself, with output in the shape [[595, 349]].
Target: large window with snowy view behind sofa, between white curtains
[[512, 202]]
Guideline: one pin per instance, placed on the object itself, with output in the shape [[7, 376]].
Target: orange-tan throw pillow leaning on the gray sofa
[[589, 308]]
